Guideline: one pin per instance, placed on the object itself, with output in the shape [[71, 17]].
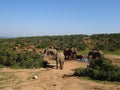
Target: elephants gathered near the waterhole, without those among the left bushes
[[70, 53]]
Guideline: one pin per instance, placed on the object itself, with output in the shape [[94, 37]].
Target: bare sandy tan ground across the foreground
[[51, 79]]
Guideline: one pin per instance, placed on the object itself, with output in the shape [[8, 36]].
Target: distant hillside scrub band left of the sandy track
[[47, 41]]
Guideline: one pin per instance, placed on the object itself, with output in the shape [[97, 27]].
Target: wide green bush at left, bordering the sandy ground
[[22, 60]]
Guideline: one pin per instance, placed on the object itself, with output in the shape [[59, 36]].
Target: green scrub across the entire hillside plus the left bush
[[10, 57]]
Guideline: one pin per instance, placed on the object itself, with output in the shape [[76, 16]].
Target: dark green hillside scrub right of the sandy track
[[108, 42]]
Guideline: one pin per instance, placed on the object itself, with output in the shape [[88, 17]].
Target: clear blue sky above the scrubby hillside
[[20, 18]]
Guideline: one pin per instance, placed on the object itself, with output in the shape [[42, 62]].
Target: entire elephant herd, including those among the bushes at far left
[[60, 57]]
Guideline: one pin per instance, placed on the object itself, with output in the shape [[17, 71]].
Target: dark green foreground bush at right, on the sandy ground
[[100, 69]]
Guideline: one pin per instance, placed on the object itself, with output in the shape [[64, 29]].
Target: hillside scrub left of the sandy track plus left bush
[[21, 58]]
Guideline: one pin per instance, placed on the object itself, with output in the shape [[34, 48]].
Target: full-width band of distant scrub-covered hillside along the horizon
[[108, 42]]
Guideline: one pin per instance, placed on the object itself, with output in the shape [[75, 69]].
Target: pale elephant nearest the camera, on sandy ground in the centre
[[60, 60]]
